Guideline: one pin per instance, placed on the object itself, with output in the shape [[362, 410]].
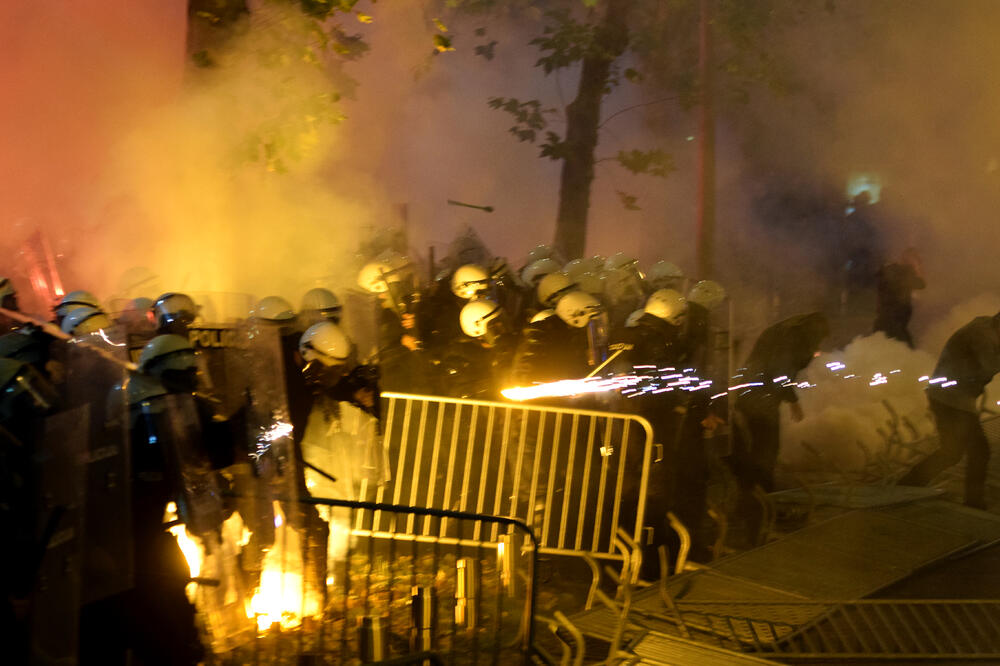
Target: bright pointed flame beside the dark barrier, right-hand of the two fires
[[283, 596]]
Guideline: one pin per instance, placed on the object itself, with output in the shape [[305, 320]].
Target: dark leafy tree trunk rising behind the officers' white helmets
[[583, 116]]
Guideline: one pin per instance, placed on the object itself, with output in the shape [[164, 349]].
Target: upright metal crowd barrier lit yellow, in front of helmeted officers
[[575, 476]]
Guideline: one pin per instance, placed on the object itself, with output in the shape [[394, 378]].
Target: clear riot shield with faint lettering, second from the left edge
[[94, 383]]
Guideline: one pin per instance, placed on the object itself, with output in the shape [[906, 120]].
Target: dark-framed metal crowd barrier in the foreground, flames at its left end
[[392, 595]]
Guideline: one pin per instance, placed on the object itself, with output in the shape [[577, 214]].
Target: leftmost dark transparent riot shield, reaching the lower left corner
[[53, 568]]
